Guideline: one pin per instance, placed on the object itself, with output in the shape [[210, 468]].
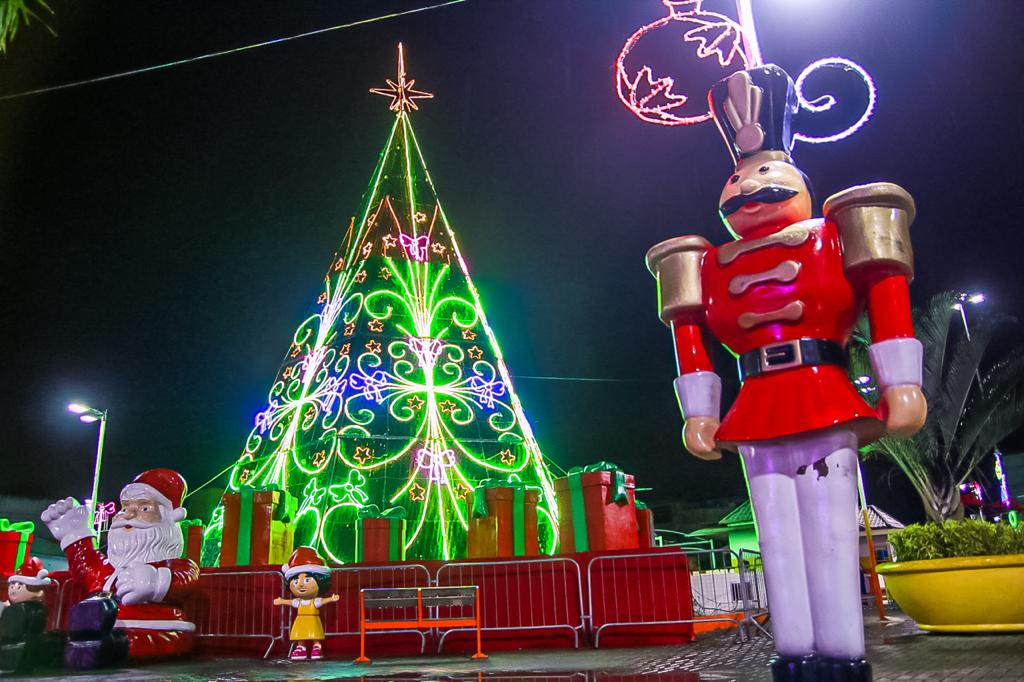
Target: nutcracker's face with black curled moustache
[[766, 193]]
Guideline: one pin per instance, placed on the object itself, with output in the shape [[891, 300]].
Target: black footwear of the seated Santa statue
[[93, 641]]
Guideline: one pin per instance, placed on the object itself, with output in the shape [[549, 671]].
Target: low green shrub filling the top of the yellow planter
[[953, 539]]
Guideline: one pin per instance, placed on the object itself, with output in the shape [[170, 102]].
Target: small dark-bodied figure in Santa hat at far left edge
[[24, 645]]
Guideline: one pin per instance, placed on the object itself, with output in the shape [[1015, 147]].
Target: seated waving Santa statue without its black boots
[[150, 590]]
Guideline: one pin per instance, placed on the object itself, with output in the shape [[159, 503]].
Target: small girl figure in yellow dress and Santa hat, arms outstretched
[[308, 579]]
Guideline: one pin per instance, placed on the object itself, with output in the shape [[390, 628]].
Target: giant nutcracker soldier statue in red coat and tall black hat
[[784, 297]]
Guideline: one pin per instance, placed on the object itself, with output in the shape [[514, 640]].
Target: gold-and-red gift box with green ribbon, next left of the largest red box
[[503, 523]]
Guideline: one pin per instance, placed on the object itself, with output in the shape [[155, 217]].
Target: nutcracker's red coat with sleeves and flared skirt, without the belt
[[782, 286]]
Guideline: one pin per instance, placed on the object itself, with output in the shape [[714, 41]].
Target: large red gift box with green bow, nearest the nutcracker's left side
[[596, 508]]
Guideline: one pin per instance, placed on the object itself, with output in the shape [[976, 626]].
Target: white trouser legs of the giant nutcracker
[[804, 492]]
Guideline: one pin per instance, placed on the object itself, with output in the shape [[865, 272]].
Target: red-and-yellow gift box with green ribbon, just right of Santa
[[259, 528]]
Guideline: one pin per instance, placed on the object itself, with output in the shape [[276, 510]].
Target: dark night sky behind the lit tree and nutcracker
[[161, 236]]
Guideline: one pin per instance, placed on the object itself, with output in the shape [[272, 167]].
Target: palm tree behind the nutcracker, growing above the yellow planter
[[971, 406]]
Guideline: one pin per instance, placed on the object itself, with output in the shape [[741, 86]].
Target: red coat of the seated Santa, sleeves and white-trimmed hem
[[95, 571]]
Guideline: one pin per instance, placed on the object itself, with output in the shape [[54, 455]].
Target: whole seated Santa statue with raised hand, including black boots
[[138, 588]]
